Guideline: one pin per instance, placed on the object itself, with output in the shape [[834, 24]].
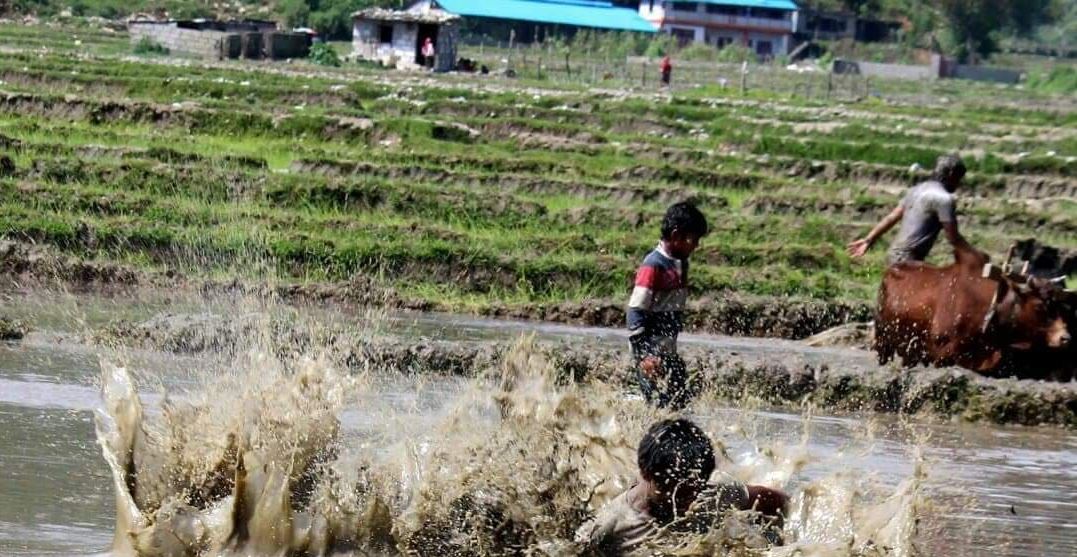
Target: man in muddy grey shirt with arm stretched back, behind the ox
[[926, 211]]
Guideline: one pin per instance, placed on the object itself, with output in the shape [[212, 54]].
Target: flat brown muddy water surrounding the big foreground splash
[[991, 491]]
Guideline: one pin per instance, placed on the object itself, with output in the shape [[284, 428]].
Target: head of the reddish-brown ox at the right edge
[[1037, 319]]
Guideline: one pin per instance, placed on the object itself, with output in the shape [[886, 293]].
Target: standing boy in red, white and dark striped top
[[655, 310]]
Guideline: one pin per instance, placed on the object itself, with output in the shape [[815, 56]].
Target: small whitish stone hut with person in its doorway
[[396, 38]]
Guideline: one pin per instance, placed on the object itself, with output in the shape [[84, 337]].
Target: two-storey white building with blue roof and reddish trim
[[764, 26]]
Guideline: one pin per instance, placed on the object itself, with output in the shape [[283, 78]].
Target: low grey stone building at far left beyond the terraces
[[221, 40]]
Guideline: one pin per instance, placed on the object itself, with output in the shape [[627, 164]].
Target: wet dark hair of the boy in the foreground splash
[[674, 452]]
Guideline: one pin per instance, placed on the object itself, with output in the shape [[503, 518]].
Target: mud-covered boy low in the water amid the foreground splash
[[674, 495]]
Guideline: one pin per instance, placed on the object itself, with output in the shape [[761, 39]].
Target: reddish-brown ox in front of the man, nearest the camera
[[955, 316]]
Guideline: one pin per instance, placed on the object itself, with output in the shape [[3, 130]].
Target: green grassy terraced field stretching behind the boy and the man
[[486, 194]]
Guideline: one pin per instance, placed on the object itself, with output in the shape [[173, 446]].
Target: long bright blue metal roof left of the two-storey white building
[[582, 13]]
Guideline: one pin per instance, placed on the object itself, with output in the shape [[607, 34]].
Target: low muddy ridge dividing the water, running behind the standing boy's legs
[[949, 394]]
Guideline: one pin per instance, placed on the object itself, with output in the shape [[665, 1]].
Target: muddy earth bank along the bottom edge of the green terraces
[[25, 266]]
